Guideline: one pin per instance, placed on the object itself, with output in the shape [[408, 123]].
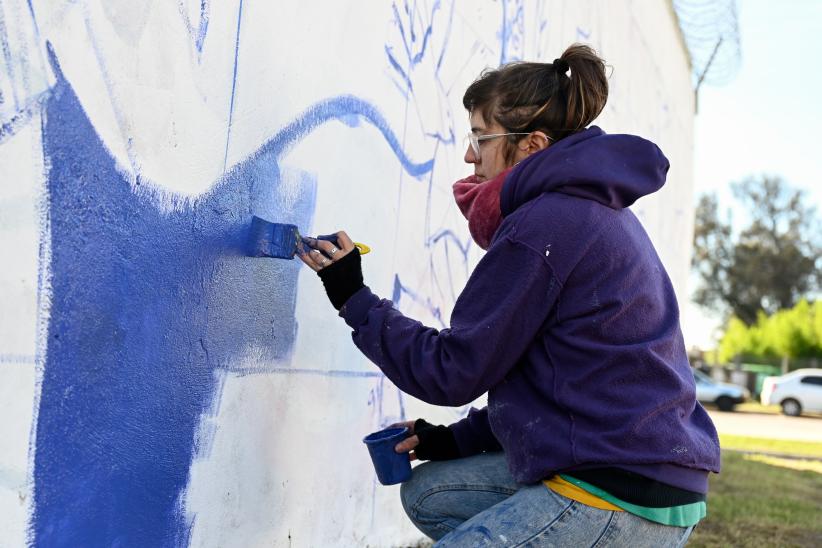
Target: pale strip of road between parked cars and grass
[[764, 425]]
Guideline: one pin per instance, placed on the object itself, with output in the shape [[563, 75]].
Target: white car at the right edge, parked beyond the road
[[798, 391]]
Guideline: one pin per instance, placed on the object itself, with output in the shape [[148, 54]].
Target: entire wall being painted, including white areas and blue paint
[[161, 387]]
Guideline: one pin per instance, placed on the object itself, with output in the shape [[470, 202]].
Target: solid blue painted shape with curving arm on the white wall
[[146, 305]]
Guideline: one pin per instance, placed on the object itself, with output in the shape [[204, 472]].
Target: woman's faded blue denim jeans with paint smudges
[[476, 502]]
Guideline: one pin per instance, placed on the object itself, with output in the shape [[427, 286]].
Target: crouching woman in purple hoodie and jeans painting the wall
[[592, 434]]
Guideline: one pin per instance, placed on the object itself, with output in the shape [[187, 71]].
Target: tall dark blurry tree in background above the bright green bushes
[[770, 264]]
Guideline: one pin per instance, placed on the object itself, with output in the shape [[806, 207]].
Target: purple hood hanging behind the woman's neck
[[614, 170]]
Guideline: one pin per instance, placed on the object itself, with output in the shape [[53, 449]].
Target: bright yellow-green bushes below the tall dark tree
[[793, 333]]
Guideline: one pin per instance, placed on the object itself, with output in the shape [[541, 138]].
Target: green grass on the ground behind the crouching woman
[[764, 502]]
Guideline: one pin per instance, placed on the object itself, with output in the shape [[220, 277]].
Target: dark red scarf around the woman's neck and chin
[[479, 202]]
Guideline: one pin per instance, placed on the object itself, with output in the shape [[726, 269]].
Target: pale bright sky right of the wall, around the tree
[[767, 120]]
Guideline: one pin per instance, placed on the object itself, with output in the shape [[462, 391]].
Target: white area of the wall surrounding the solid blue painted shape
[[182, 96]]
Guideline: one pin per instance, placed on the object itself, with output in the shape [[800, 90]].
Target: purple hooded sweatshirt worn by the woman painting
[[569, 322]]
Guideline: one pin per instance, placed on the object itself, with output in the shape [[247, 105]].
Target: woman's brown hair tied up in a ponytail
[[525, 97]]
